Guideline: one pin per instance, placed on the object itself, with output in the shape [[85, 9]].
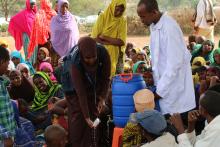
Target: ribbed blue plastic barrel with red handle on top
[[123, 88]]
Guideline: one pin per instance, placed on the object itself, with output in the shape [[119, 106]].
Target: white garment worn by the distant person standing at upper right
[[203, 7]]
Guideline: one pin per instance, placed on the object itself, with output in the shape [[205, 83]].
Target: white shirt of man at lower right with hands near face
[[209, 137]]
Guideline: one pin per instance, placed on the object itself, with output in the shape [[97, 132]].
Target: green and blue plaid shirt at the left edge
[[7, 119]]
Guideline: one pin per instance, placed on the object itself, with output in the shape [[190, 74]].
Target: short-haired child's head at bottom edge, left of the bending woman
[[55, 136]]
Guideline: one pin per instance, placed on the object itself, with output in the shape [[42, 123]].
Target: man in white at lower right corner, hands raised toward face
[[210, 110]]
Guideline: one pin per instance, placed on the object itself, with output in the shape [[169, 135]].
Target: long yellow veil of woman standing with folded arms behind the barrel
[[114, 27]]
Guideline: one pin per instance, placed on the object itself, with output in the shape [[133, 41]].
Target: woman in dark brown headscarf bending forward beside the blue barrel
[[91, 78]]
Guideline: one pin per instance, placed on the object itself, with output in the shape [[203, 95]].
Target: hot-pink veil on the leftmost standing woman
[[22, 23]]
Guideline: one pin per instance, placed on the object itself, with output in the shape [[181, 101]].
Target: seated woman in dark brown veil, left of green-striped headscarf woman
[[20, 87]]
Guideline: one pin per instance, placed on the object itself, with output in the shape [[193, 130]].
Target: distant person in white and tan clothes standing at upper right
[[205, 19]]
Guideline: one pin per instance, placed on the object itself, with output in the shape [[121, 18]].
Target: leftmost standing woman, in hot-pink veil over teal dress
[[20, 27]]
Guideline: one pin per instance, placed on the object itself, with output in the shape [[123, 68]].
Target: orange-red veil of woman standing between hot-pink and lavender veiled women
[[41, 27]]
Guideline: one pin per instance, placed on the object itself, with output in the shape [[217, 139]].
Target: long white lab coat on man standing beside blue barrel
[[171, 67]]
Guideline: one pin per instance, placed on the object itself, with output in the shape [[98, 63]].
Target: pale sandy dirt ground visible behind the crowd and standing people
[[139, 41]]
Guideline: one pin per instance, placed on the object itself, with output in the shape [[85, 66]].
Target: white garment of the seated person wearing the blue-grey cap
[[167, 140]]
